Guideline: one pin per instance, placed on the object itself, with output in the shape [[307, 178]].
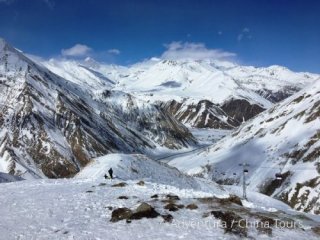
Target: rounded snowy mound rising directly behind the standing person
[[140, 167]]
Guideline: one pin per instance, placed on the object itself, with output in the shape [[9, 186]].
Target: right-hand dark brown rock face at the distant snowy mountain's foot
[[241, 110]]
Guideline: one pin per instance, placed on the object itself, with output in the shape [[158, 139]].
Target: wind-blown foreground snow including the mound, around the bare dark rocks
[[81, 208]]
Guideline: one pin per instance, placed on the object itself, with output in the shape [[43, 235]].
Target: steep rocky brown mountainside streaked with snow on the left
[[53, 127]]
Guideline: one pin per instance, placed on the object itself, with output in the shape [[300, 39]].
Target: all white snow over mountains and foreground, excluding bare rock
[[78, 208]]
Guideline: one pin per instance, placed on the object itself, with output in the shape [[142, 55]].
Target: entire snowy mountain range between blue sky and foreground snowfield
[[58, 114]]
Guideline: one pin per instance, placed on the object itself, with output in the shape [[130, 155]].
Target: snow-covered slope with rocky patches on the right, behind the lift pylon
[[284, 140]]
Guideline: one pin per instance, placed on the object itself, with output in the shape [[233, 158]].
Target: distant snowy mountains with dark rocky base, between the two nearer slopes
[[202, 94]]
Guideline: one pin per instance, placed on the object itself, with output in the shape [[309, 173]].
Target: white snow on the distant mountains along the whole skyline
[[193, 80]]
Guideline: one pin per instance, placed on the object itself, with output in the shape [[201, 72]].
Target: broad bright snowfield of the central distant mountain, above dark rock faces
[[214, 80]]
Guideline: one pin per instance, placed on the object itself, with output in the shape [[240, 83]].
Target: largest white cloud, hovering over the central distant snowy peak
[[196, 51]]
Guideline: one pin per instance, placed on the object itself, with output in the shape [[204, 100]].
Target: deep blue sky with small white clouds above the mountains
[[251, 32]]
